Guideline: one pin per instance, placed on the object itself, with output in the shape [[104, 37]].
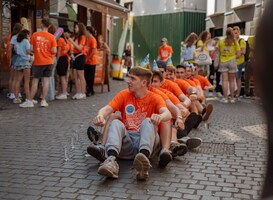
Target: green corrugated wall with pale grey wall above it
[[155, 19]]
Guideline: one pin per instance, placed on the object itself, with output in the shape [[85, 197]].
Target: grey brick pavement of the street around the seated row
[[32, 164]]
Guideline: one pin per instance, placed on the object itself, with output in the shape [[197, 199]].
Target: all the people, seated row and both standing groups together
[[155, 114]]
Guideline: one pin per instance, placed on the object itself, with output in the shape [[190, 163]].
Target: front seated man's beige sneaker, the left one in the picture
[[109, 167]]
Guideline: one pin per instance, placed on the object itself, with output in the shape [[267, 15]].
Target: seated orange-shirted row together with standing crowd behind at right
[[163, 103]]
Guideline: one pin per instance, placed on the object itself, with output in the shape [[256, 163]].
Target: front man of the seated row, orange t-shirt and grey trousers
[[134, 136]]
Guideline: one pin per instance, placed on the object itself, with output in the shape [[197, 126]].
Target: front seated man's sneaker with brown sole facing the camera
[[142, 166]]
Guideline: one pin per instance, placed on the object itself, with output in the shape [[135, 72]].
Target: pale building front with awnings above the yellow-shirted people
[[222, 14]]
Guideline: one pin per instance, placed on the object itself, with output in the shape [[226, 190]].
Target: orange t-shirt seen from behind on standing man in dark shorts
[[42, 43]]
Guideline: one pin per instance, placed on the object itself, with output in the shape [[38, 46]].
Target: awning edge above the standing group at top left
[[109, 7]]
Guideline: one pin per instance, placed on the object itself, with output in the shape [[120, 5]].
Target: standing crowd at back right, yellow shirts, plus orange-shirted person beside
[[221, 60]]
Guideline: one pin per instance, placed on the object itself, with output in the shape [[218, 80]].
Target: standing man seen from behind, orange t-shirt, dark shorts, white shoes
[[44, 47]]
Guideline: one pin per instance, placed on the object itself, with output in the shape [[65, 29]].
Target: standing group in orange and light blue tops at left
[[38, 56]]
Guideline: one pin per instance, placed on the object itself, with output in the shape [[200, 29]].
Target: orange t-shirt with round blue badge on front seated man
[[134, 110]]
